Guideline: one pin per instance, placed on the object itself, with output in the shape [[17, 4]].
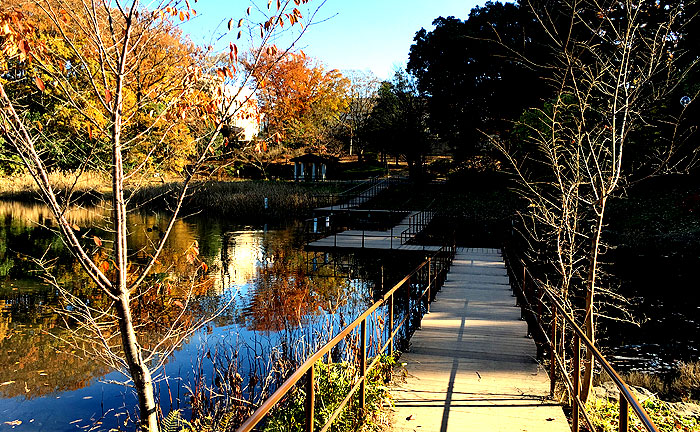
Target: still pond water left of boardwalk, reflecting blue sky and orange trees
[[261, 274]]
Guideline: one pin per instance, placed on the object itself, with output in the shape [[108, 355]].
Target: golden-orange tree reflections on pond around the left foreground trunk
[[35, 356]]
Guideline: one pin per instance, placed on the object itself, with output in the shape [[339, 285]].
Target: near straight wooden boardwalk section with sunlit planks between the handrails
[[471, 367]]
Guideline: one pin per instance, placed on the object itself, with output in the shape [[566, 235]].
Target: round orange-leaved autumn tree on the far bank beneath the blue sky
[[300, 100]]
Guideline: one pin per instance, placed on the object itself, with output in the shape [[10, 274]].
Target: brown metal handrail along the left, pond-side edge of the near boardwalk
[[306, 369]]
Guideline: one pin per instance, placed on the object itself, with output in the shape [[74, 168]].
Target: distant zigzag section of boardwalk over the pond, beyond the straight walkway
[[358, 239]]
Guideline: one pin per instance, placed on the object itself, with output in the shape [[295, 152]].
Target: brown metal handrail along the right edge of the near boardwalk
[[627, 398]]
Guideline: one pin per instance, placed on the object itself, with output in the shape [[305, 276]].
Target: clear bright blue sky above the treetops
[[349, 34]]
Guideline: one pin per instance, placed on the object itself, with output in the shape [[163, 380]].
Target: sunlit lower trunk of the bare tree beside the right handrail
[[589, 322]]
